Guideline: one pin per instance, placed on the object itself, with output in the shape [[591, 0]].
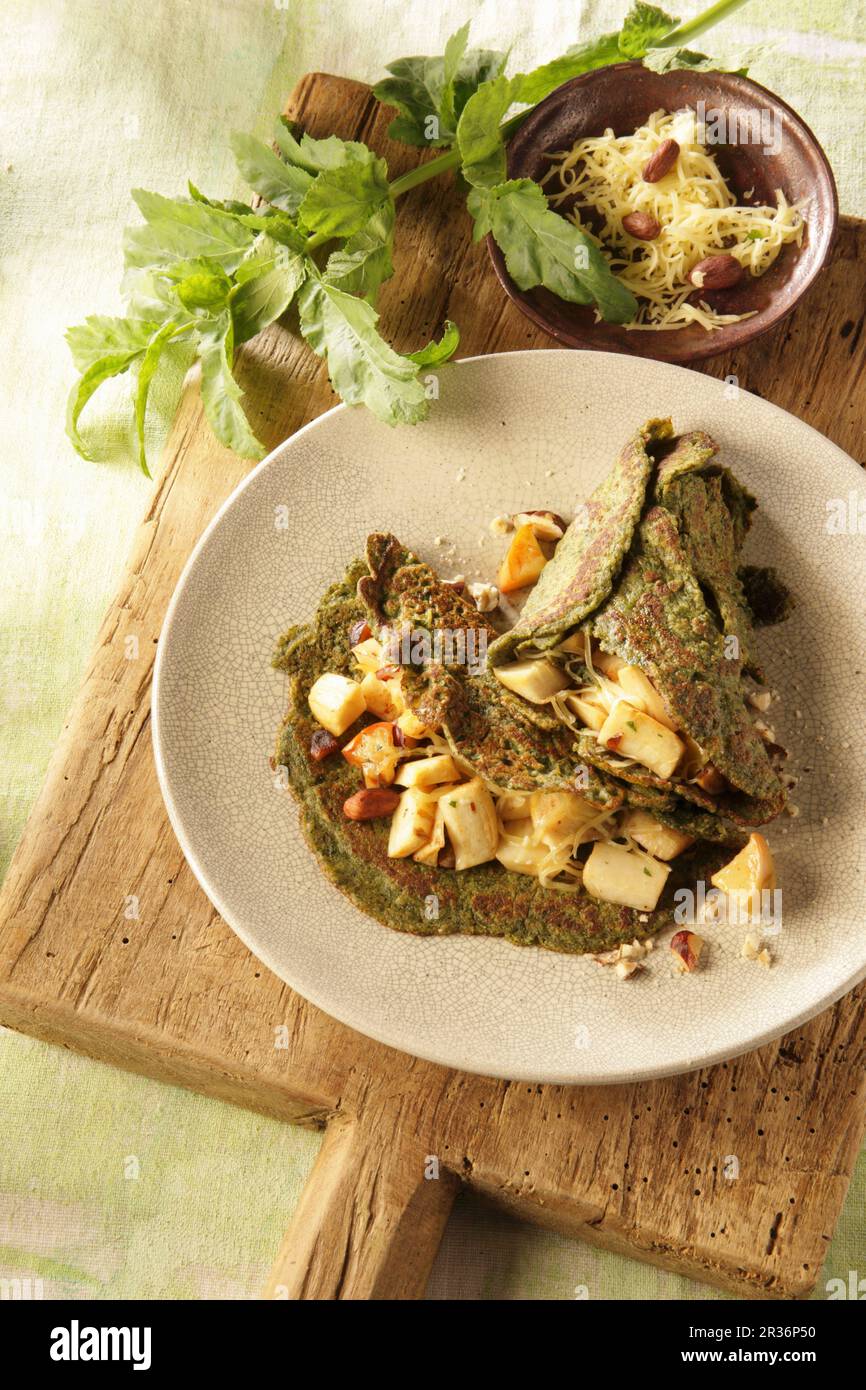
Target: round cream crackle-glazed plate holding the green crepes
[[508, 434]]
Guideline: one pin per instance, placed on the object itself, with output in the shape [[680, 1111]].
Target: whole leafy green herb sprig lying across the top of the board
[[215, 273]]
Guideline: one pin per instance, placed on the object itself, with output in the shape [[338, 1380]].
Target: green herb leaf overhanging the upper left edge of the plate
[[362, 366]]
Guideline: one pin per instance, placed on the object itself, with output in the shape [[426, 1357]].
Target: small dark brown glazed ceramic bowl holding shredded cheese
[[622, 97]]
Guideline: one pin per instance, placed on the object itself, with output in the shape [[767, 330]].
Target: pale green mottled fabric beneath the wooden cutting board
[[111, 1185]]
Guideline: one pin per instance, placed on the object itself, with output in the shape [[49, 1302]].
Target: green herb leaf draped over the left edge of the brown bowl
[[541, 248]]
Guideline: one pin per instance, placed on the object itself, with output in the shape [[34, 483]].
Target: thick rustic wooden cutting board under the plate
[[173, 993]]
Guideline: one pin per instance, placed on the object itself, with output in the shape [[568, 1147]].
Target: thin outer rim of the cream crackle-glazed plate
[[315, 997]]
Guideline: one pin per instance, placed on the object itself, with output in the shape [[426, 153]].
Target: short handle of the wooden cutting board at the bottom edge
[[370, 1218]]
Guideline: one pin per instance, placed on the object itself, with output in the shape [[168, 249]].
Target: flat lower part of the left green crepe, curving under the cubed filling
[[400, 893]]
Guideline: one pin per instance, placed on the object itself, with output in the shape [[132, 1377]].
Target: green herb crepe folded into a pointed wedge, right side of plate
[[658, 582]]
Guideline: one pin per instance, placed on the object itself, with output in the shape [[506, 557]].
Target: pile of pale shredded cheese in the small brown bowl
[[693, 205]]
